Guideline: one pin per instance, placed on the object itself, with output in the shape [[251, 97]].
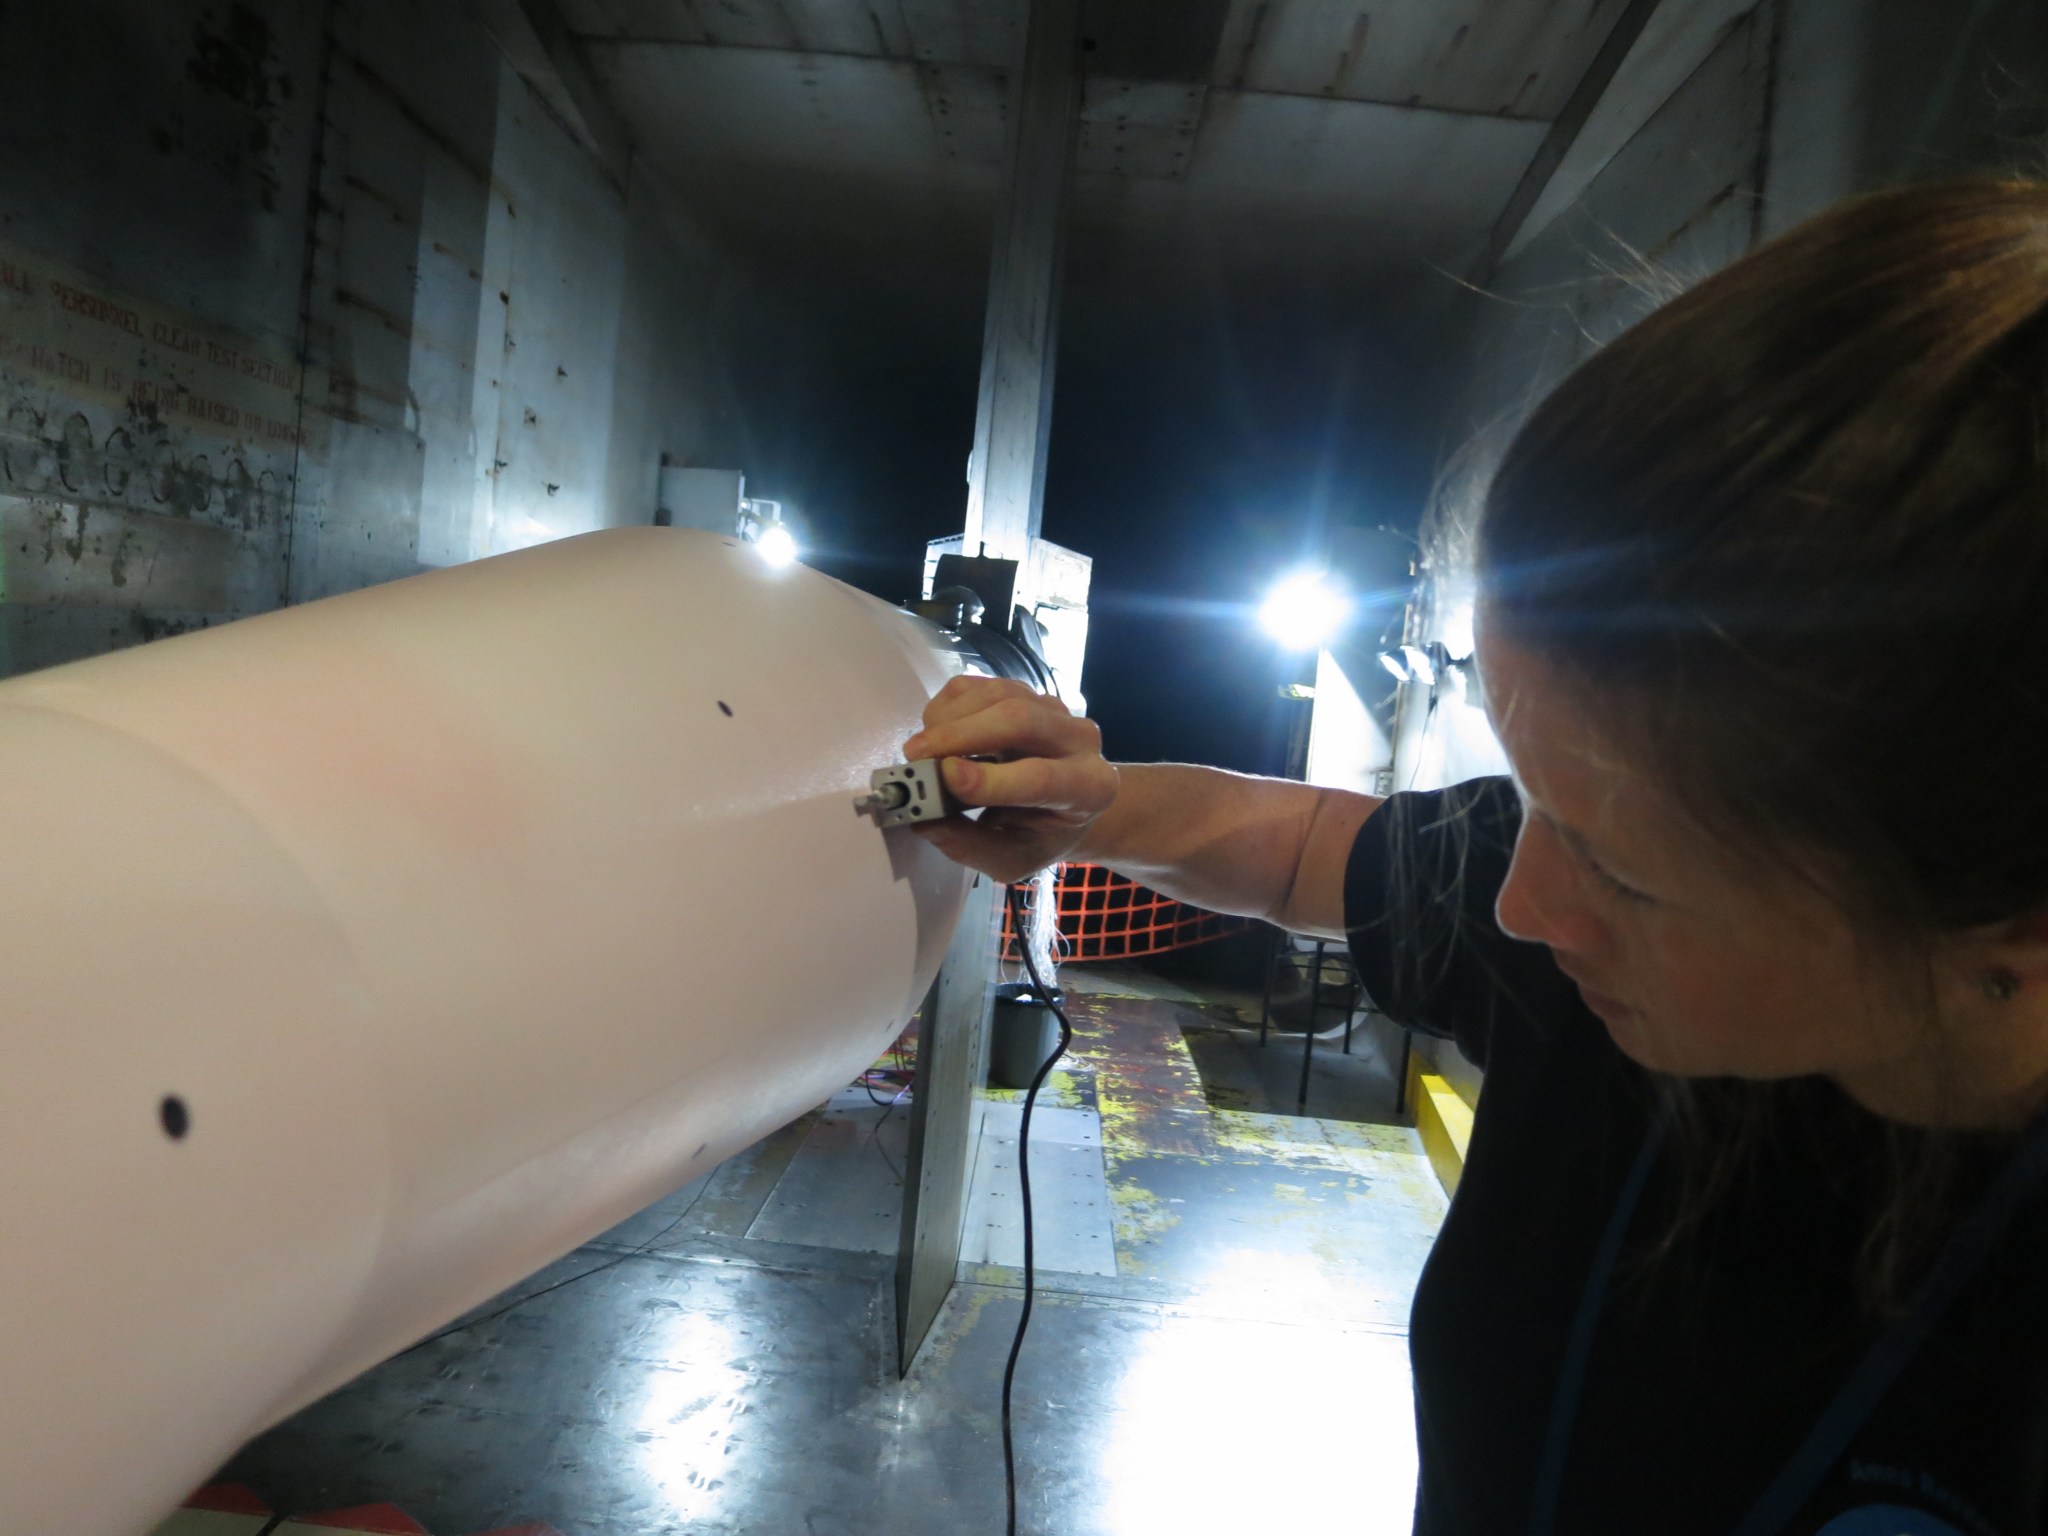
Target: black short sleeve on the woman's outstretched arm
[[1418, 902]]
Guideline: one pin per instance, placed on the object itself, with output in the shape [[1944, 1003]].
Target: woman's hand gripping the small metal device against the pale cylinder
[[1027, 757]]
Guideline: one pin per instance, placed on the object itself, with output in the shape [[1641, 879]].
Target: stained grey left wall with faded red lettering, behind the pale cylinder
[[298, 298]]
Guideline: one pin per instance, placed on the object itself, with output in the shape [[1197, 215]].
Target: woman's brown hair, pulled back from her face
[[1789, 542]]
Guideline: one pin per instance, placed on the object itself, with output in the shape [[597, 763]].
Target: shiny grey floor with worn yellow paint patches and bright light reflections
[[1220, 1347]]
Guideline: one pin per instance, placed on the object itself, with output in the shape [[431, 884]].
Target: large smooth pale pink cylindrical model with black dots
[[364, 957]]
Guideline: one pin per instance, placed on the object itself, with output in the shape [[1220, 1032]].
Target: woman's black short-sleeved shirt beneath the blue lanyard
[[1715, 1353]]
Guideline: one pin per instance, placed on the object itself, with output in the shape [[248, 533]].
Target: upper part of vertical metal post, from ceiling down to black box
[[1015, 413]]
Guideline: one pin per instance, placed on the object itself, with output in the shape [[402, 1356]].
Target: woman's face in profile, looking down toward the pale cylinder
[[1697, 966]]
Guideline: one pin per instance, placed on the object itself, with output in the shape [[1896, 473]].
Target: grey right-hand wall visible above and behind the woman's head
[[1797, 105]]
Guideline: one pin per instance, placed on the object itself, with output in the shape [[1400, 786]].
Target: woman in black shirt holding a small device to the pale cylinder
[[1754, 947]]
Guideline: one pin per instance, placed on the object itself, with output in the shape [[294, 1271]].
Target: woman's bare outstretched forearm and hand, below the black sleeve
[[1230, 843]]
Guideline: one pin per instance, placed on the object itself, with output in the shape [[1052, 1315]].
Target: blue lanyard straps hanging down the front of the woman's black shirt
[[1859, 1396]]
